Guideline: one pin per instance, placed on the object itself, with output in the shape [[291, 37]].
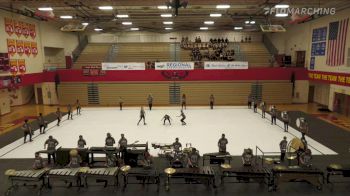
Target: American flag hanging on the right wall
[[336, 42]]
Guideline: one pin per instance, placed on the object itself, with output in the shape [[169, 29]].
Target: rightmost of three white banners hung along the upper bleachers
[[226, 65]]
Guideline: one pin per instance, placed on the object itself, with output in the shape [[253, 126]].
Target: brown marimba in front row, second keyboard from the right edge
[[311, 175]]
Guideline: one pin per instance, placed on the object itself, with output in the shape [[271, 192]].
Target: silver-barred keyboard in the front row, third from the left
[[104, 174]]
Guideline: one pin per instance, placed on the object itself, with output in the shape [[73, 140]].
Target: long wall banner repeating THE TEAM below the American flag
[[330, 77]]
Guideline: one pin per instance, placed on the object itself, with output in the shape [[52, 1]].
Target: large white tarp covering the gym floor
[[242, 127]]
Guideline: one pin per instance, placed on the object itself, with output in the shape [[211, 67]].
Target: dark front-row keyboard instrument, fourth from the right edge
[[204, 175]]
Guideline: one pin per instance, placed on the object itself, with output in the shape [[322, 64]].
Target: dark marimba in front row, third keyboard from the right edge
[[247, 174]]
